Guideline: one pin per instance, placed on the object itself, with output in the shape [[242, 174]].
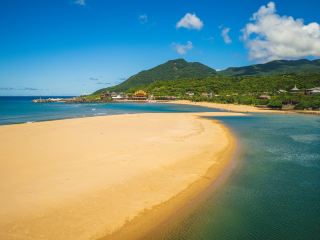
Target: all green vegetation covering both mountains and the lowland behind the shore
[[272, 90]]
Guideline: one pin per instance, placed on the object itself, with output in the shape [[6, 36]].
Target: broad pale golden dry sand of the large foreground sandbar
[[86, 178]]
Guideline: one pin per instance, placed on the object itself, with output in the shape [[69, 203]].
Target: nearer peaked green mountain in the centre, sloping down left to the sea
[[171, 70]]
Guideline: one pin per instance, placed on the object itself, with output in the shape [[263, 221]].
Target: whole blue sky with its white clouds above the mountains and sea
[[71, 47]]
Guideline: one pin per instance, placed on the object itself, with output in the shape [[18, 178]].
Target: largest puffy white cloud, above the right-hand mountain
[[270, 36]]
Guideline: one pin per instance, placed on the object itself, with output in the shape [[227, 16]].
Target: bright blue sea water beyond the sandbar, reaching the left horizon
[[22, 109]]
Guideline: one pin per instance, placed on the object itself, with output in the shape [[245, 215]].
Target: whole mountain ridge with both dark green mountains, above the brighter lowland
[[180, 69]]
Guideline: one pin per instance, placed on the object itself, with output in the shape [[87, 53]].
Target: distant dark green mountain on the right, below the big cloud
[[275, 67]]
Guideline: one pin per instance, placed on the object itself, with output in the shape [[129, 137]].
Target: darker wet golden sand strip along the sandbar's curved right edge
[[182, 204]]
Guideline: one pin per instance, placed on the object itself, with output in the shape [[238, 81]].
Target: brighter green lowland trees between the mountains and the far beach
[[242, 90]]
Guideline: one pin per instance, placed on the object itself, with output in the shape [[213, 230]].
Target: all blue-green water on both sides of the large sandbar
[[273, 193]]
